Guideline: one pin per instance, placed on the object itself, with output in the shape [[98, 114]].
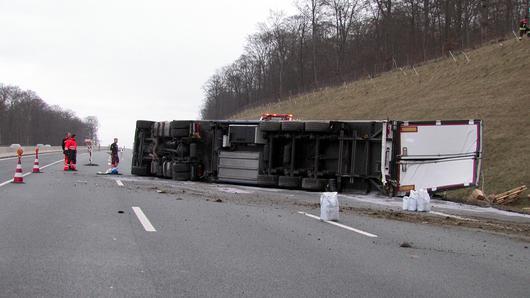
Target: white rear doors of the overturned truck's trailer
[[439, 155]]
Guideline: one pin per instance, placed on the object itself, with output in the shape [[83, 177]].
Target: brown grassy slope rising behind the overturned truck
[[493, 86]]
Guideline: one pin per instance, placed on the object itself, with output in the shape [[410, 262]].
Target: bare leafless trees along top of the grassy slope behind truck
[[330, 42]]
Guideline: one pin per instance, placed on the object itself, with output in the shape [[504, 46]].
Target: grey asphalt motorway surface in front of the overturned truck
[[77, 234]]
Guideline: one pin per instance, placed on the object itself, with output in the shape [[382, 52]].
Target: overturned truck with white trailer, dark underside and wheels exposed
[[389, 156]]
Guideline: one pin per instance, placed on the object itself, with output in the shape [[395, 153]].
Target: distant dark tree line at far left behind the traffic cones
[[27, 120]]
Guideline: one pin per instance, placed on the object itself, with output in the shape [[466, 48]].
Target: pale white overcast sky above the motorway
[[123, 60]]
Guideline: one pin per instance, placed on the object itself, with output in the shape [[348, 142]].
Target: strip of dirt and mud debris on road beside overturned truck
[[309, 201]]
